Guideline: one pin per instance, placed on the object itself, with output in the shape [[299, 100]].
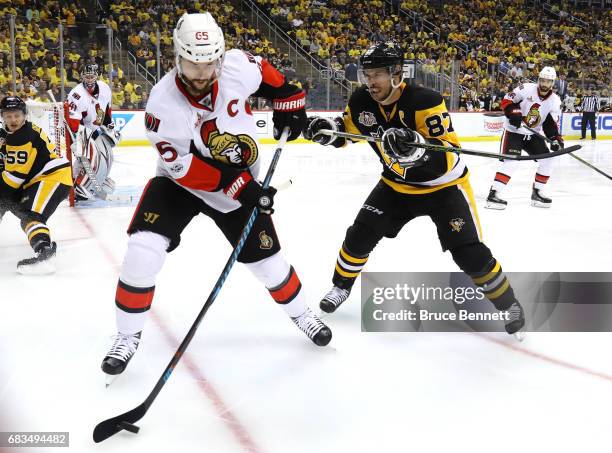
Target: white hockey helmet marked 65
[[198, 38]]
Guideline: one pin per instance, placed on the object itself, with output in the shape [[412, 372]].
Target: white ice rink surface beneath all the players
[[251, 382]]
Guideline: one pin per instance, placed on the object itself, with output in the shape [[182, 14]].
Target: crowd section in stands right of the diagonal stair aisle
[[494, 44]]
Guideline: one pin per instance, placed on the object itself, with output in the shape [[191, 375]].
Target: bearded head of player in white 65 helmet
[[199, 49]]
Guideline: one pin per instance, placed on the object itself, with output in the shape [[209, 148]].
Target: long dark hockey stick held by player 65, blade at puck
[[126, 421]]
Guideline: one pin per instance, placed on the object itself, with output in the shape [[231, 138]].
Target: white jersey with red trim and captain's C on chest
[[199, 141]]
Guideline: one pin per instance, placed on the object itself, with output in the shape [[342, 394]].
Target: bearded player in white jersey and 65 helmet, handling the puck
[[199, 120]]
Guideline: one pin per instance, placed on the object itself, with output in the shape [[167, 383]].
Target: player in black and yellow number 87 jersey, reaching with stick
[[414, 182]]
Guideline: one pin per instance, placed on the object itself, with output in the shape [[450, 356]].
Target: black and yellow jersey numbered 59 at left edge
[[29, 157]]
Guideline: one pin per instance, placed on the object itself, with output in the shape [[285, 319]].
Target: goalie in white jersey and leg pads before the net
[[89, 117]]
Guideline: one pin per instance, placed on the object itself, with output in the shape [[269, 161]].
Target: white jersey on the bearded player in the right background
[[534, 108]]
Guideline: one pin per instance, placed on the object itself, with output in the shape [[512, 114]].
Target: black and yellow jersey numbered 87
[[422, 110]]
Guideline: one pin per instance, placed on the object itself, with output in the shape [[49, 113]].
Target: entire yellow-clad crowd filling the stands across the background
[[488, 45]]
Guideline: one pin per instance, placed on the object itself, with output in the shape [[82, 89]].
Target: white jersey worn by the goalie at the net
[[90, 109]]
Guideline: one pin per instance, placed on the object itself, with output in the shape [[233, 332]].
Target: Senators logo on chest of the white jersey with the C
[[237, 150]]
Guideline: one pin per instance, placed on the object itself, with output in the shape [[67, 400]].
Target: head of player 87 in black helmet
[[379, 67]]
